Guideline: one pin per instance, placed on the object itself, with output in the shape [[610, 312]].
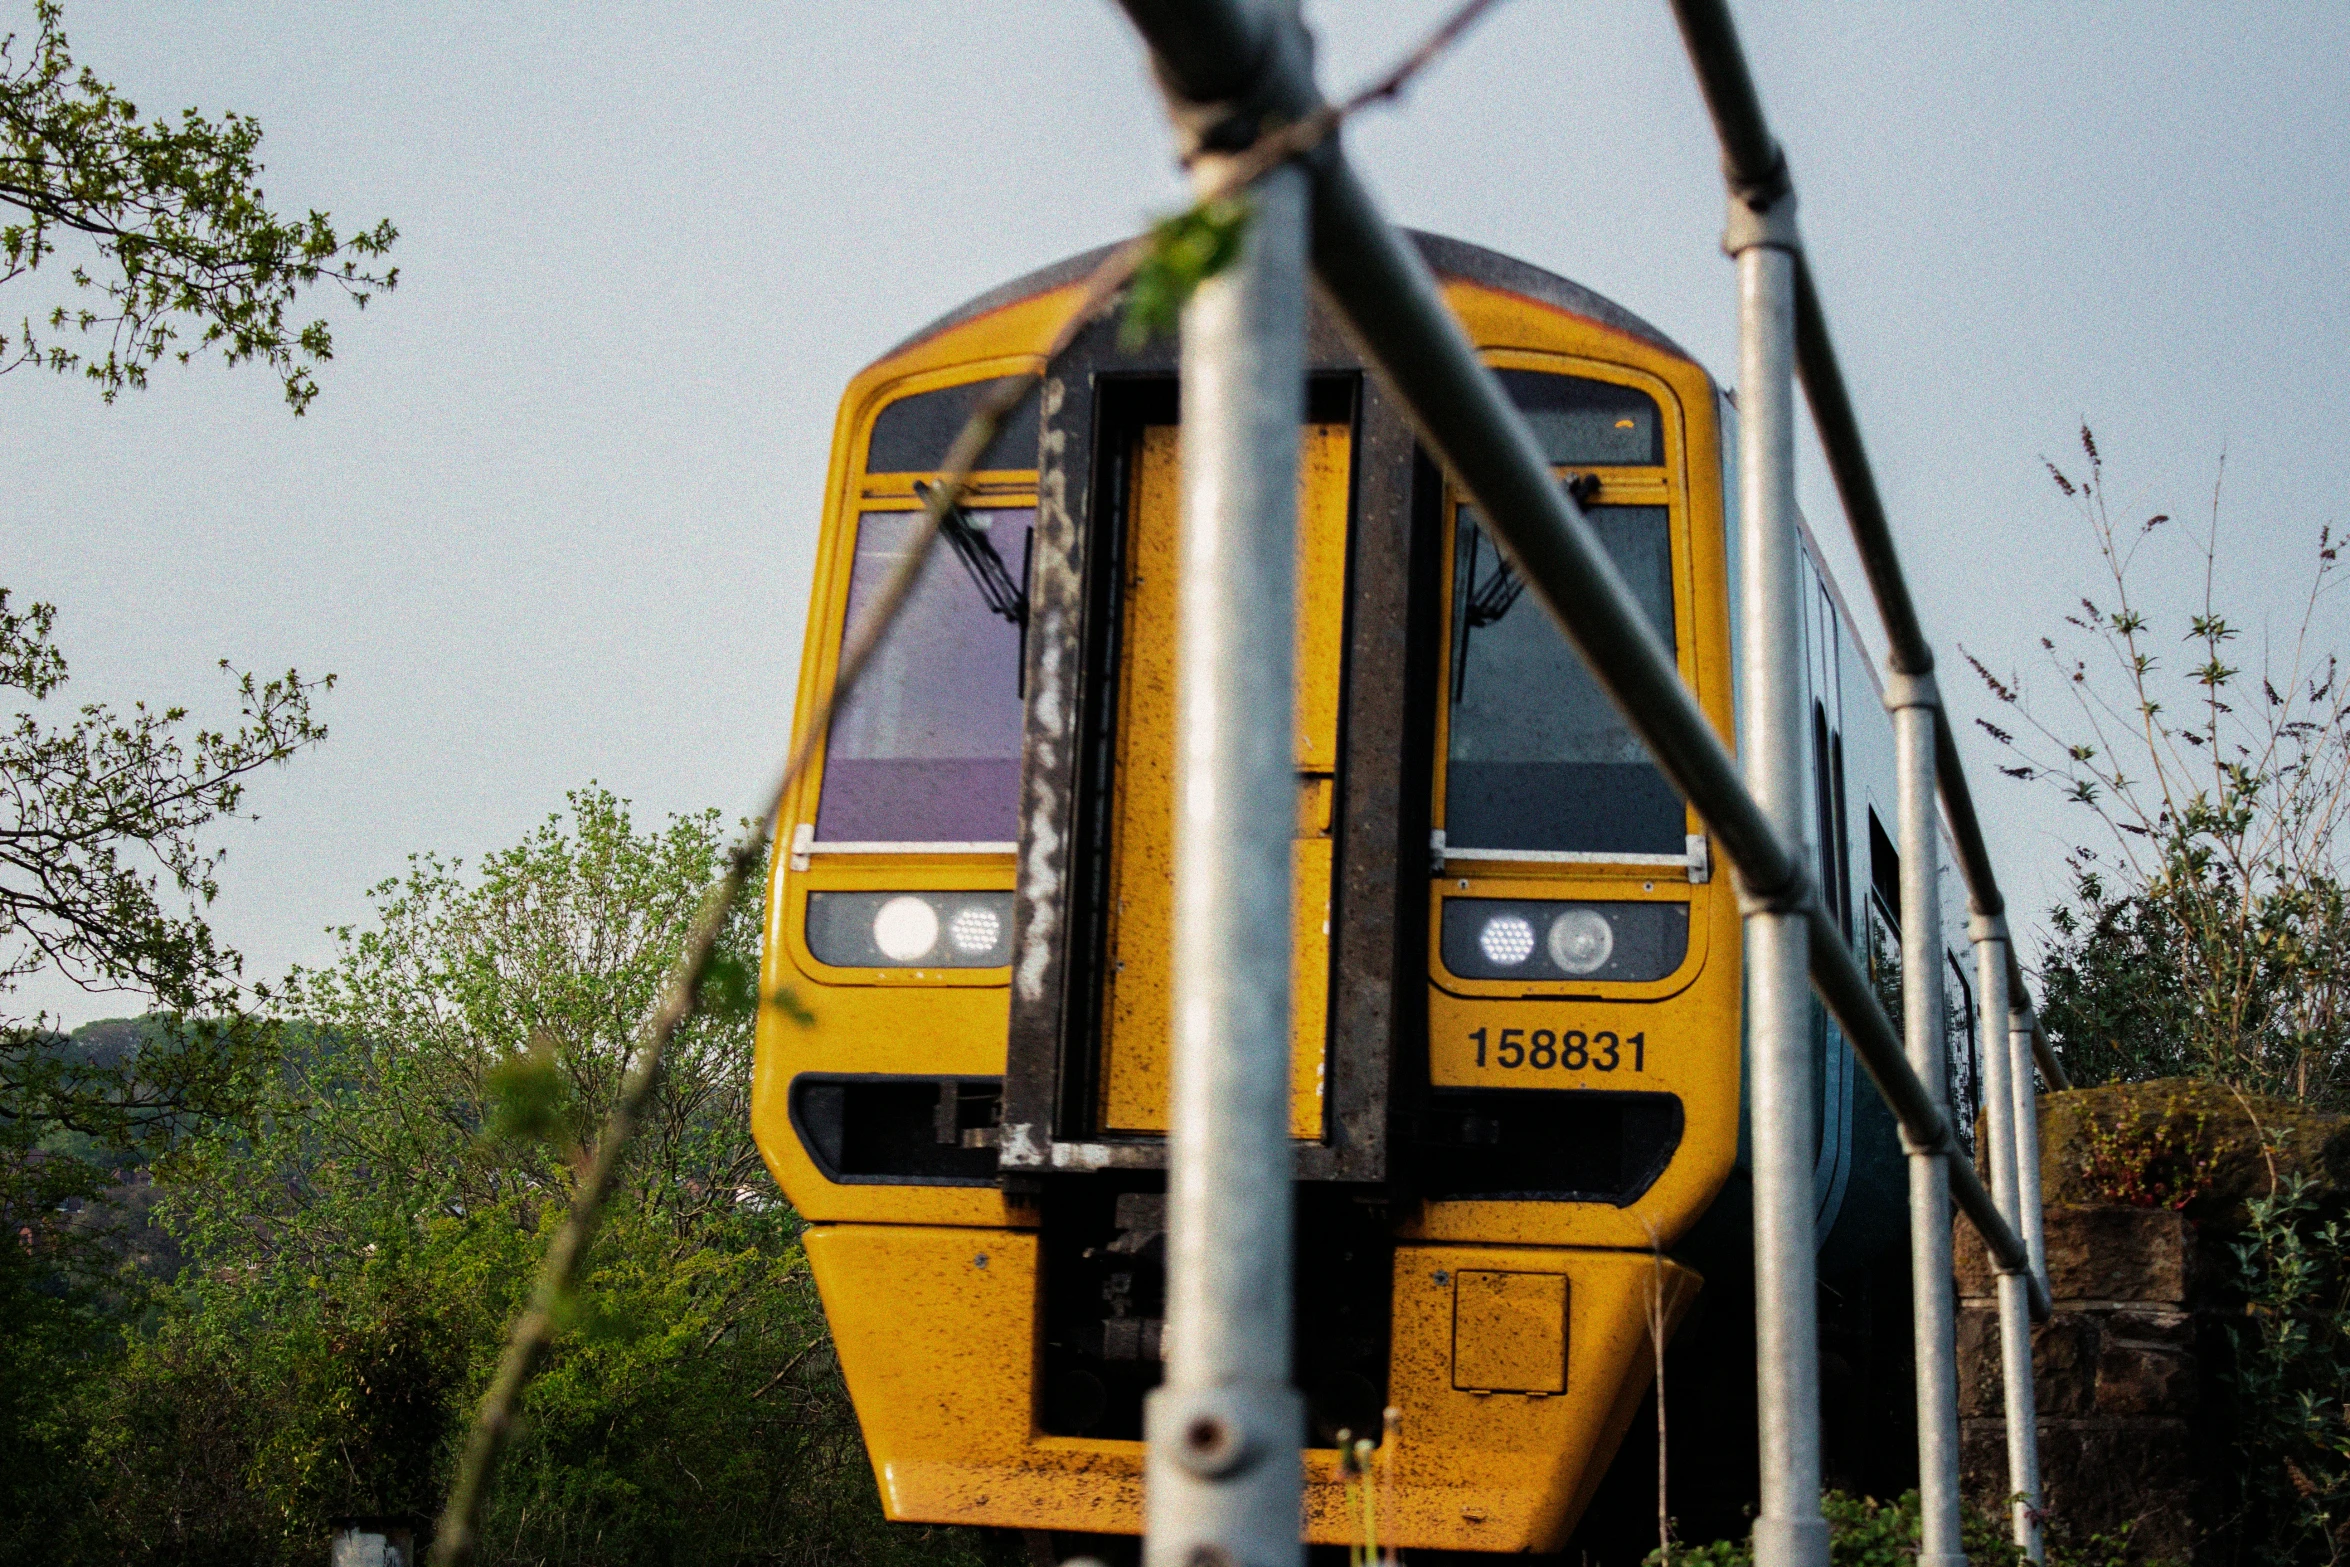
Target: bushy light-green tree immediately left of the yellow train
[[363, 1242]]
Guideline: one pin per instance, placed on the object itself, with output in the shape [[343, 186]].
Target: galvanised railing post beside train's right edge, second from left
[[1782, 1080]]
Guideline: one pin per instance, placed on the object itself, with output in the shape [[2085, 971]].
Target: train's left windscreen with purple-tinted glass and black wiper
[[929, 746]]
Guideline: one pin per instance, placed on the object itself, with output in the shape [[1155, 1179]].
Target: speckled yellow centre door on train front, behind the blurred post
[[1136, 1021]]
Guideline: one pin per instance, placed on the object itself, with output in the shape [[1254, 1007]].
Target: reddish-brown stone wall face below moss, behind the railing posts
[[2116, 1376]]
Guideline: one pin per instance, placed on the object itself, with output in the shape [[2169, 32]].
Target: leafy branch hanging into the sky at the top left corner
[[175, 231]]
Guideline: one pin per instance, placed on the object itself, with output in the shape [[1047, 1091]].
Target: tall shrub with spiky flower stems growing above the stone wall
[[2210, 932]]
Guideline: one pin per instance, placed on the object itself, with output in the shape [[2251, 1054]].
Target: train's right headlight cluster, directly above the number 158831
[[1559, 941]]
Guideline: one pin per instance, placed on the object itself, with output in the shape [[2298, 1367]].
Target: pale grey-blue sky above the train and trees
[[553, 516]]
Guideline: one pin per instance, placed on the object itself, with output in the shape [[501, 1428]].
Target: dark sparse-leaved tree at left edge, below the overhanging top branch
[[98, 814]]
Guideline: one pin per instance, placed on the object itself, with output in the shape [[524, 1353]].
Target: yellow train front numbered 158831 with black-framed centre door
[[1517, 1044]]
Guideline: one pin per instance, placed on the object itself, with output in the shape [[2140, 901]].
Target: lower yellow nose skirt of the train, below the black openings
[[1515, 1373]]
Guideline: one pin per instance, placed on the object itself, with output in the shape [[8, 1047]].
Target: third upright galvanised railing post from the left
[[1933, 1305]]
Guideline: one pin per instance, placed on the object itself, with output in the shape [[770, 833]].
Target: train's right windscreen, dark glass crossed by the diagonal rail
[[1538, 755]]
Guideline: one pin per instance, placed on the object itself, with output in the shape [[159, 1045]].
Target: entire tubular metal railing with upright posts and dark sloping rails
[[1221, 1493]]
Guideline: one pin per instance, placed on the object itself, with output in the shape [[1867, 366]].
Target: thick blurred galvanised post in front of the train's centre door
[[1223, 1474]]
